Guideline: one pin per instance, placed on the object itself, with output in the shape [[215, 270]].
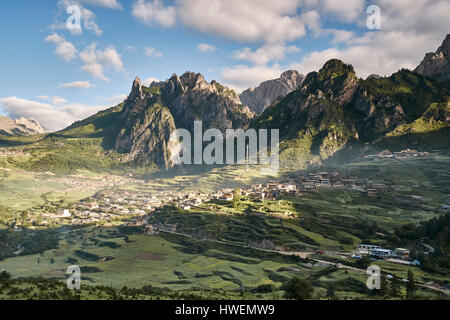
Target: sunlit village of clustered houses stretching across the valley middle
[[114, 205]]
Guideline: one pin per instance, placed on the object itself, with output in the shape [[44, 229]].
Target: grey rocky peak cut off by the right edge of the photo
[[437, 65]]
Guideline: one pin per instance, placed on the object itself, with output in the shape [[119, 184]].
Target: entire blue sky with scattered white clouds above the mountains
[[64, 60]]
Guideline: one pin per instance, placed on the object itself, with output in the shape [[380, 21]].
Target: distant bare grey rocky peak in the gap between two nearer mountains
[[259, 98]]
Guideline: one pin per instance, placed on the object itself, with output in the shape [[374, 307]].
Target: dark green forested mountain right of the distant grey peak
[[333, 109]]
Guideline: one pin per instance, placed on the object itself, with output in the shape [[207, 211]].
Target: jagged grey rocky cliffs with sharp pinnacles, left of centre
[[151, 114]]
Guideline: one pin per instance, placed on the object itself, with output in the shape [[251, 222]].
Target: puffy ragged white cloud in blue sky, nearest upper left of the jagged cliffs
[[96, 61]]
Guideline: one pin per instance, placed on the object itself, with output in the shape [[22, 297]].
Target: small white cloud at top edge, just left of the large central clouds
[[154, 12]]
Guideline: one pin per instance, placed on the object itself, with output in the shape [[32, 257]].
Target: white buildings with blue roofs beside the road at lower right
[[374, 252]]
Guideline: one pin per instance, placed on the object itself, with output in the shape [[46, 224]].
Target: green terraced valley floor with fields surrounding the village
[[245, 248]]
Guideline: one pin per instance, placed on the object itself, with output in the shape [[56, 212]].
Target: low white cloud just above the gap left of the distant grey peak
[[244, 77]]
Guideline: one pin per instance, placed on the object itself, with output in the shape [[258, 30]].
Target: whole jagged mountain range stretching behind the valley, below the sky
[[319, 115]]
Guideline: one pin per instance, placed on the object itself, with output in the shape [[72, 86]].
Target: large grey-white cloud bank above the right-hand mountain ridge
[[409, 30]]
